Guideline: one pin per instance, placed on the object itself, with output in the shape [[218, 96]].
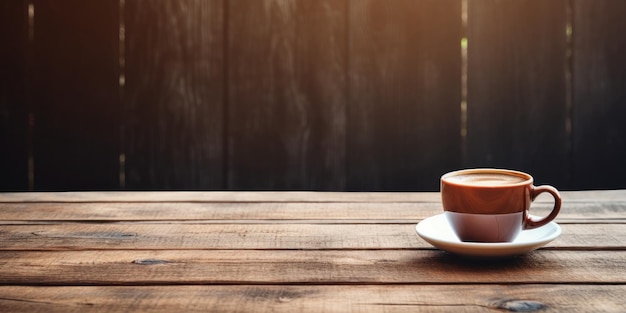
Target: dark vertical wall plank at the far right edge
[[599, 110]]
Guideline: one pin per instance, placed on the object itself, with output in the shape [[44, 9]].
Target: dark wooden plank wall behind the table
[[309, 94]]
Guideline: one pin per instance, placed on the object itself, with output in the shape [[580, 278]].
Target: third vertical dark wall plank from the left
[[174, 94]]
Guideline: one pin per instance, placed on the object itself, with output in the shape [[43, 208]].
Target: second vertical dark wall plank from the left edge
[[75, 94]]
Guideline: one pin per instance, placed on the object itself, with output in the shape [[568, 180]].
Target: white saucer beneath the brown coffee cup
[[436, 231]]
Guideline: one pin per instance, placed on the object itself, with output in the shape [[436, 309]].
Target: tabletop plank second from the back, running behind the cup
[[296, 212]]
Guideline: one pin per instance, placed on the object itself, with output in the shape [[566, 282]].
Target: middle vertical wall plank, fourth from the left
[[287, 94]]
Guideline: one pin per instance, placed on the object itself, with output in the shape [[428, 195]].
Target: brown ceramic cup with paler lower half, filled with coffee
[[491, 205]]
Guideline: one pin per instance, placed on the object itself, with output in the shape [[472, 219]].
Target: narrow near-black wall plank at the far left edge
[[13, 106]]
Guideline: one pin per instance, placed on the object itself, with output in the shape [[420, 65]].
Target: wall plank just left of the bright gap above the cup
[[405, 94]]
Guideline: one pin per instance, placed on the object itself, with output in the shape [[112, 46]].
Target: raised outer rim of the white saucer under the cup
[[484, 249]]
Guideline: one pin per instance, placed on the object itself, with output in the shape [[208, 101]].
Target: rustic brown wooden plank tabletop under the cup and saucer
[[291, 252]]
